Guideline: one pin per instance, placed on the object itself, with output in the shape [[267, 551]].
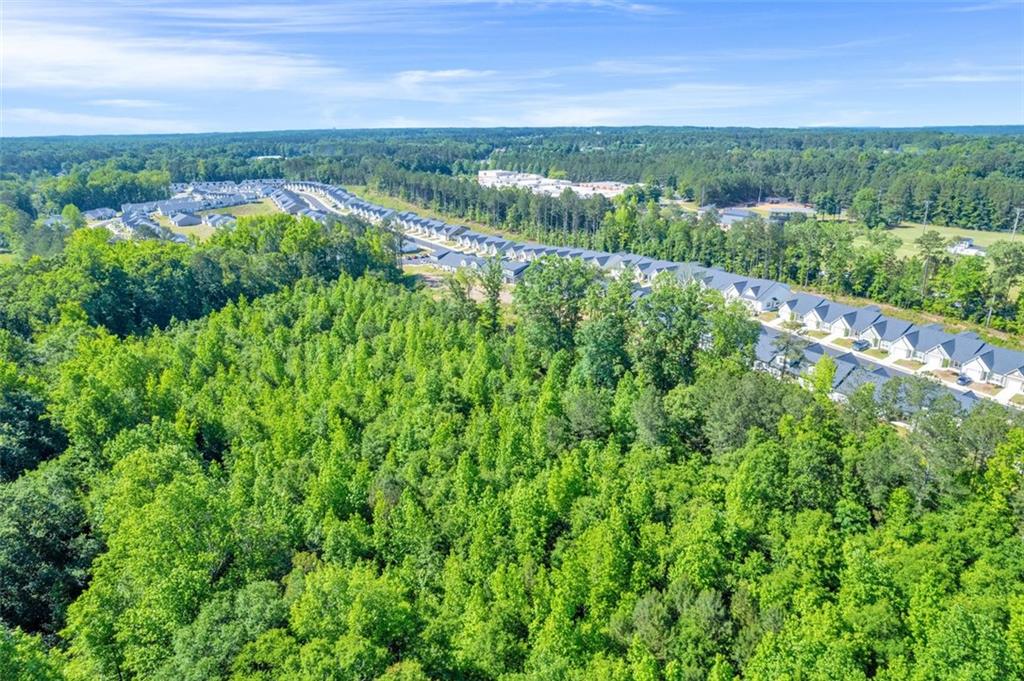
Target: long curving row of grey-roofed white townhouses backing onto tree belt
[[929, 346]]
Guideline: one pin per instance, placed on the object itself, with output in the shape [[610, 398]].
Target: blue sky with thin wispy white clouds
[[148, 66]]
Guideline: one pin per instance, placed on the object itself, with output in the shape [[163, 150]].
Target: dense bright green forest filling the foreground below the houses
[[273, 457]]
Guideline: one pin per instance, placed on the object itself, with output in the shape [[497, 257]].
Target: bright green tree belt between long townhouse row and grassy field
[[829, 257]]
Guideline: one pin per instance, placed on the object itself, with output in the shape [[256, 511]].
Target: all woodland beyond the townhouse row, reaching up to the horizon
[[878, 178]]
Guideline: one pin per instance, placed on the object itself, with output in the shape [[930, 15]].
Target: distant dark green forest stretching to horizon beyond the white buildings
[[973, 181]]
